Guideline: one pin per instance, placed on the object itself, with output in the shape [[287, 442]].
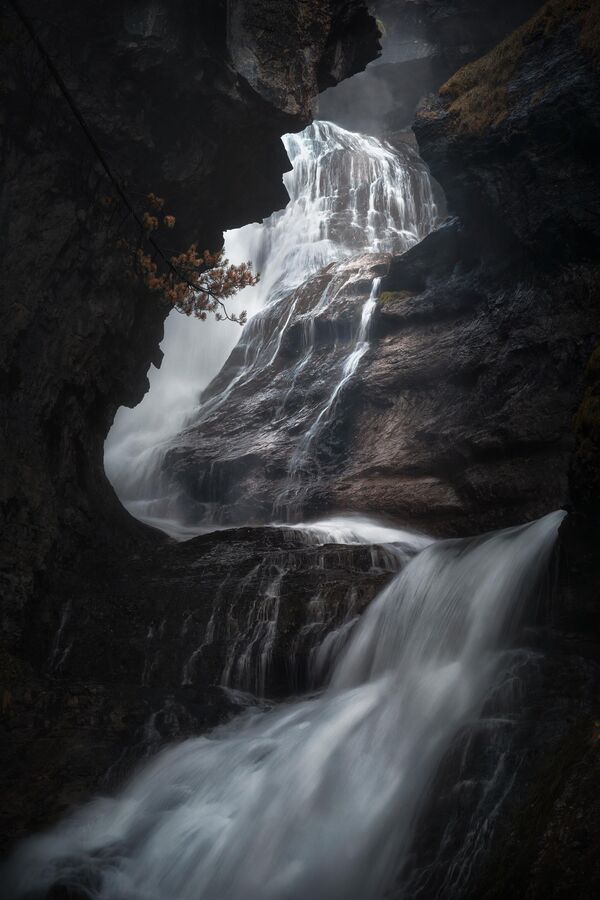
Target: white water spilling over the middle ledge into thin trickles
[[245, 611]]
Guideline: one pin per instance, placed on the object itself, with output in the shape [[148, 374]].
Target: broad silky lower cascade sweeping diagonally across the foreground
[[316, 797]]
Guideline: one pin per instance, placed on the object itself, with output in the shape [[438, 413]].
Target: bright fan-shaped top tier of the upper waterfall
[[349, 193]]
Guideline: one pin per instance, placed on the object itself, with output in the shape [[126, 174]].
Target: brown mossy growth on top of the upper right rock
[[478, 94]]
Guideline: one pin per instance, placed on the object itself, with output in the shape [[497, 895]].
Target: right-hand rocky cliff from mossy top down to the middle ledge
[[460, 417]]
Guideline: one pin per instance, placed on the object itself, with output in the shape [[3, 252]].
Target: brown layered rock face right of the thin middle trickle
[[471, 392]]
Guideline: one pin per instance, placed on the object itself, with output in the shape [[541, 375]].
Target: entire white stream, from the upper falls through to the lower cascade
[[317, 796]]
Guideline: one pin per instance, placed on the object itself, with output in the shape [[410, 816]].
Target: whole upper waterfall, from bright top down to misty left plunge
[[349, 194]]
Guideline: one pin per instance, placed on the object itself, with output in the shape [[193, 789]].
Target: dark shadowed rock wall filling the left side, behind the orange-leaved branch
[[187, 100]]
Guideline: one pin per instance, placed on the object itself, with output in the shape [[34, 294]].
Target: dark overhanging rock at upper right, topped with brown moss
[[514, 139]]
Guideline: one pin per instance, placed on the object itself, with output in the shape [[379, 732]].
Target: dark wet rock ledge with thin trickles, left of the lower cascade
[[135, 652]]
